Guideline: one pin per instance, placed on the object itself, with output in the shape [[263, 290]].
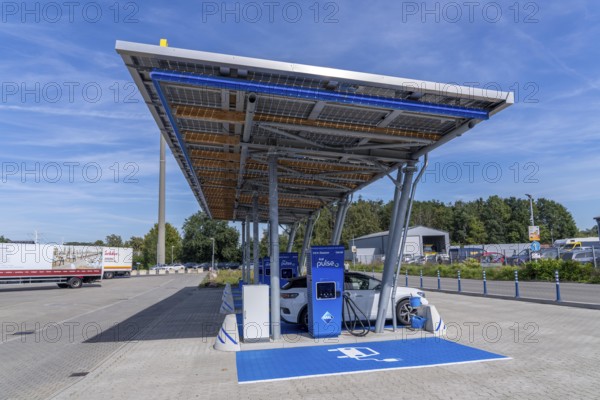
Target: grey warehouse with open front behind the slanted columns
[[420, 240]]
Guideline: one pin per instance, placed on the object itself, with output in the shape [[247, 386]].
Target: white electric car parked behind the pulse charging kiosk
[[362, 289]]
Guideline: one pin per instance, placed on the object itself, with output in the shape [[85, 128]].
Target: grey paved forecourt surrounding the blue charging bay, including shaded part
[[170, 355]]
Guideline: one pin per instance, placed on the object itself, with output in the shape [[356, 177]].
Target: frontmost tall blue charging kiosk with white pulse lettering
[[325, 286]]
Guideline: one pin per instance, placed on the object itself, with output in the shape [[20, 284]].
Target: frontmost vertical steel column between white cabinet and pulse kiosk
[[274, 245]]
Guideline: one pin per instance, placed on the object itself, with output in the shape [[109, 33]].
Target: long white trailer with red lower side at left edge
[[67, 266]]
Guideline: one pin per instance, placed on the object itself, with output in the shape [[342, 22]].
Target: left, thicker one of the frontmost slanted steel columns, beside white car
[[391, 258]]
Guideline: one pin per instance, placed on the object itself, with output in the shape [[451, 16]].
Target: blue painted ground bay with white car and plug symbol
[[303, 362]]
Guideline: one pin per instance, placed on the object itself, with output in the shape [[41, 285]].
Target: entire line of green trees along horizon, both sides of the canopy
[[493, 220]]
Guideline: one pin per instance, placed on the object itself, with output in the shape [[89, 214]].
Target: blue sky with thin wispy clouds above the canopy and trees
[[79, 147]]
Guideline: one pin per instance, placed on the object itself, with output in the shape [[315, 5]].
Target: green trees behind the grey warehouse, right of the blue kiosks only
[[493, 220]]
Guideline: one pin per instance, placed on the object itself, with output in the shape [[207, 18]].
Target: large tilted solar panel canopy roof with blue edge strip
[[333, 131]]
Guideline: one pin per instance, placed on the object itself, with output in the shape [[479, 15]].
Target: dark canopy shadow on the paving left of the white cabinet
[[189, 313]]
